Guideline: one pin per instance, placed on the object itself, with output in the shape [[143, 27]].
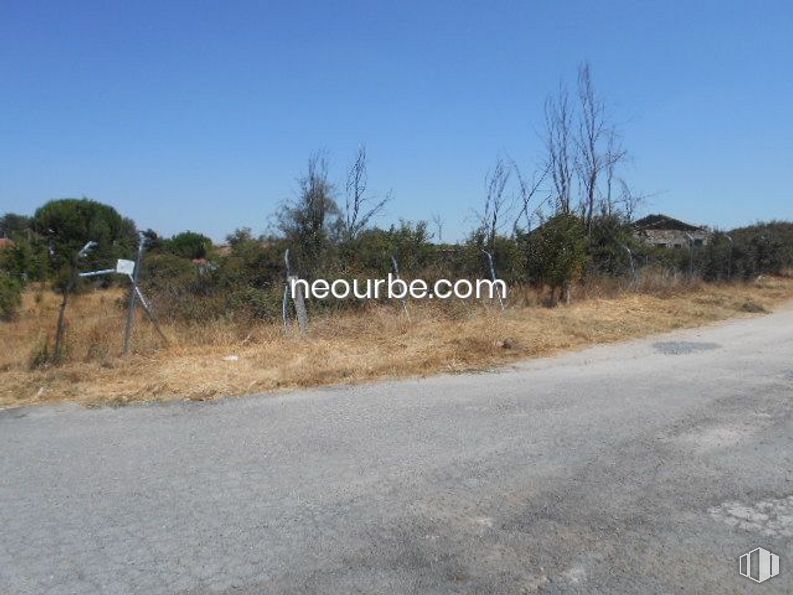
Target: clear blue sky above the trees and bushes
[[200, 115]]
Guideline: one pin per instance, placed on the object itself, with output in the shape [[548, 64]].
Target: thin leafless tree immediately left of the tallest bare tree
[[559, 147]]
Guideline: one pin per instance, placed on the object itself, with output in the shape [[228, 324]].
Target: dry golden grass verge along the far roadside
[[378, 342]]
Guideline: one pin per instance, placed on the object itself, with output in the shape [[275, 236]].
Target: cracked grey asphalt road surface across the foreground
[[644, 467]]
